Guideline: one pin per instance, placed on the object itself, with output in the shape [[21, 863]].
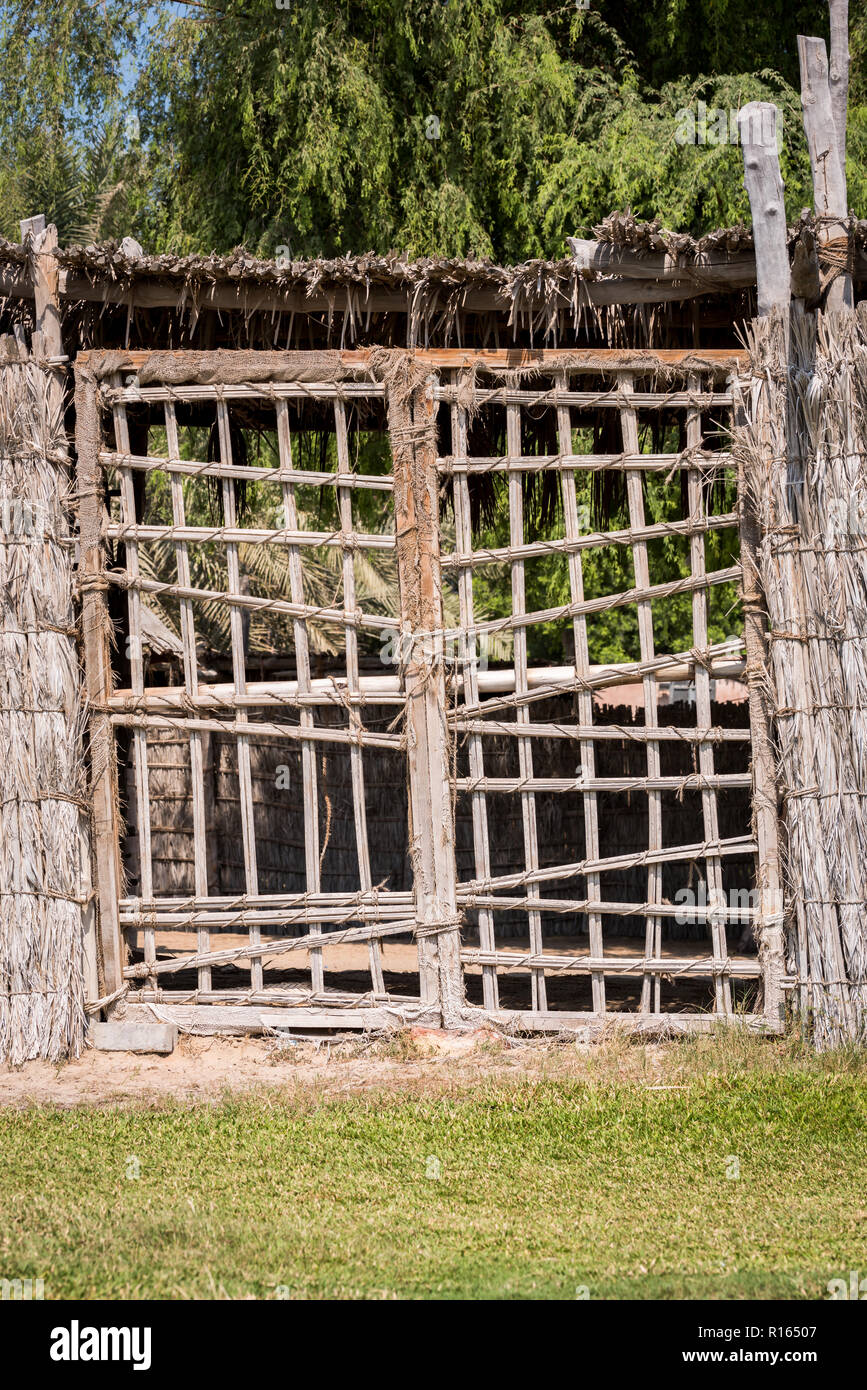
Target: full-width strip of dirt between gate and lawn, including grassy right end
[[208, 1070]]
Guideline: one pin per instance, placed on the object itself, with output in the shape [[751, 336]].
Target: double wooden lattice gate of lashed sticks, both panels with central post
[[431, 721]]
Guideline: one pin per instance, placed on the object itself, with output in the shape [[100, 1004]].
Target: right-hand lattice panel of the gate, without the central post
[[688, 390]]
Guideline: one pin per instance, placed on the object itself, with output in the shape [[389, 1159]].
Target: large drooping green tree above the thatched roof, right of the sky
[[455, 127]]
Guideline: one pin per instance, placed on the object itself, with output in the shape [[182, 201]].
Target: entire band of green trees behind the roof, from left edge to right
[[431, 127]]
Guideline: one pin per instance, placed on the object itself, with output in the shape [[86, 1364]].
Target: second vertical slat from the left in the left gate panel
[[191, 685]]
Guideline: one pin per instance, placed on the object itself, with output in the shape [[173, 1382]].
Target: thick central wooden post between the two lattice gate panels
[[422, 633]]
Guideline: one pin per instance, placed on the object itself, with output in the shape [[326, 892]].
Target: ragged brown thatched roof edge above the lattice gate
[[626, 273]]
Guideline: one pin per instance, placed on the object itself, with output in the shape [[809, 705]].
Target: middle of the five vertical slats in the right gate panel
[[586, 698]]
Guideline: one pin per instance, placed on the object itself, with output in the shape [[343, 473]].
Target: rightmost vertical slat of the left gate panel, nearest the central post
[[356, 757]]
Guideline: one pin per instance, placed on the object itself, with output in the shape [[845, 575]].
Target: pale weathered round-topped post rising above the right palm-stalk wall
[[758, 127]]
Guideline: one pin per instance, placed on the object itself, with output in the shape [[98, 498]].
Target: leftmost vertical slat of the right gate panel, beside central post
[[481, 844]]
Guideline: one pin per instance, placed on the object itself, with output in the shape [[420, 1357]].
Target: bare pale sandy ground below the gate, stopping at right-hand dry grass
[[208, 1070]]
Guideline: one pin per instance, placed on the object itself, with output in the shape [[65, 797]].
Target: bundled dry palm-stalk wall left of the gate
[[42, 836]]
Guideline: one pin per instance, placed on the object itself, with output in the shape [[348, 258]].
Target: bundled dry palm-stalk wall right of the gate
[[802, 447]]
